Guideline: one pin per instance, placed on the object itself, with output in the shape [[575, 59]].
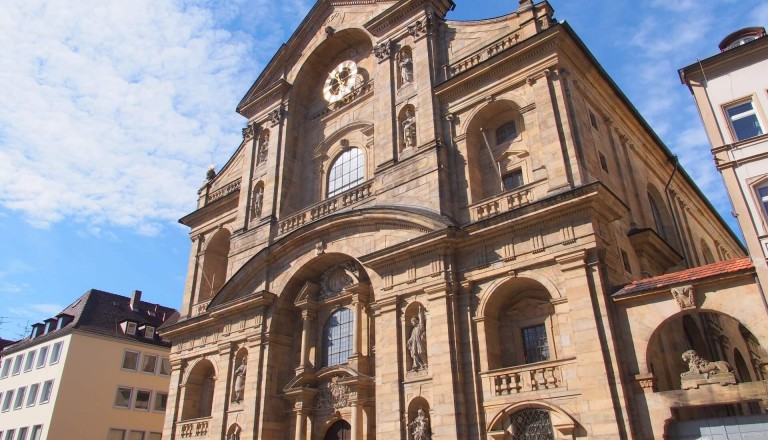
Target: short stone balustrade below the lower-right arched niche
[[526, 378]]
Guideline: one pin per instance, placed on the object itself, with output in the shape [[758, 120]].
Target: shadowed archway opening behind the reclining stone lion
[[713, 335]]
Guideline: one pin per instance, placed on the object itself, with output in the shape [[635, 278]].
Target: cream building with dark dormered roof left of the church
[[97, 370]]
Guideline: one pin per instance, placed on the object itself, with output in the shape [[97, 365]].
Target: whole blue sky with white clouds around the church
[[111, 111]]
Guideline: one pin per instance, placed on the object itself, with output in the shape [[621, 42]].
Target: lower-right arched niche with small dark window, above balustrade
[[518, 322]]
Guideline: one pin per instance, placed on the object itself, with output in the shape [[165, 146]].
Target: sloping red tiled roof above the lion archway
[[687, 276]]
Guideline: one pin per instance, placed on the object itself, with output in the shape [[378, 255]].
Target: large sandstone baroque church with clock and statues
[[436, 229]]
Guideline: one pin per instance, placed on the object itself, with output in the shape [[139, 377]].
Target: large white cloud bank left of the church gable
[[111, 111]]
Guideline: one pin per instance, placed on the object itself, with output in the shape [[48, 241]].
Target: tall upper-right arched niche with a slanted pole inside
[[497, 158]]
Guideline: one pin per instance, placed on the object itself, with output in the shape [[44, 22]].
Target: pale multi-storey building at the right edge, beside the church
[[731, 93]]
